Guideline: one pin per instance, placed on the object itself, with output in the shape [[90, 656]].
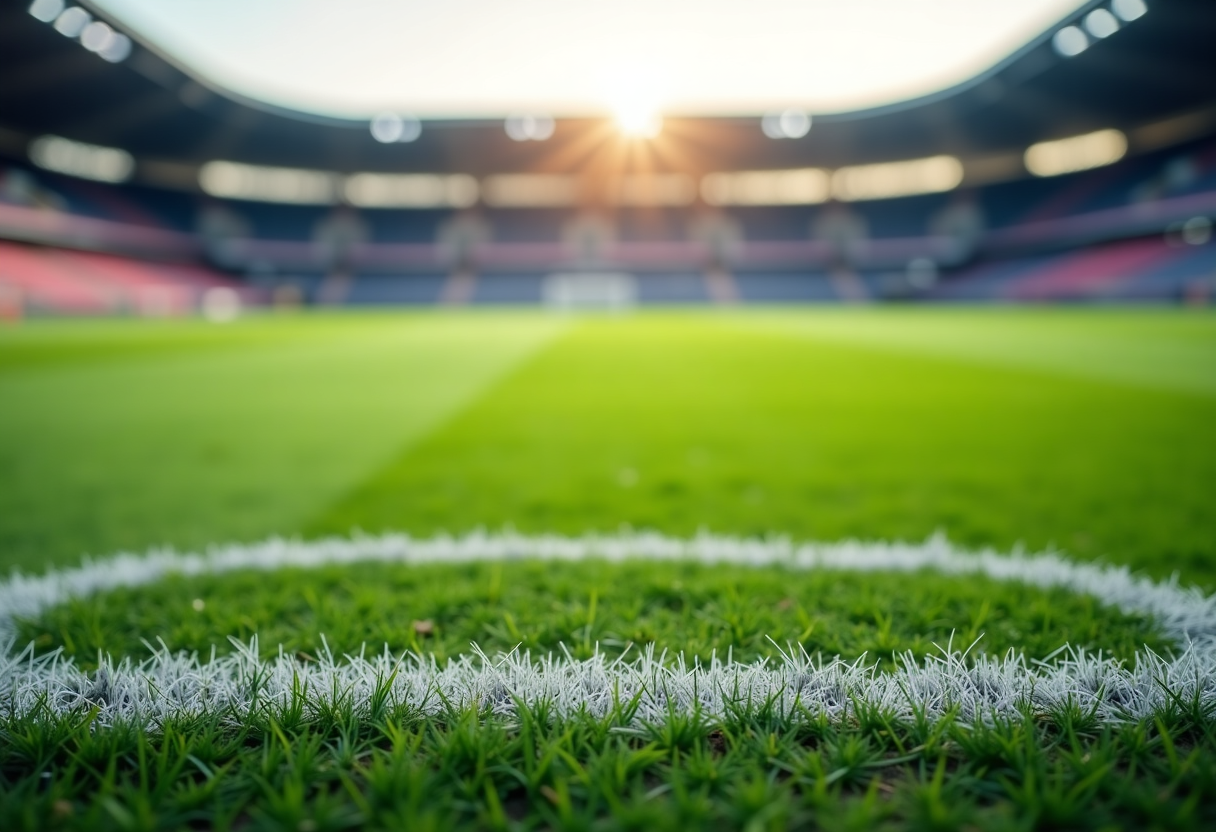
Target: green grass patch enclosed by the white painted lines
[[538, 606]]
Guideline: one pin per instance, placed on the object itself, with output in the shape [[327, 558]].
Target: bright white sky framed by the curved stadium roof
[[582, 58]]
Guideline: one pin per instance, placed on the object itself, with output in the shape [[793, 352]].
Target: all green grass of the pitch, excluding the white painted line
[[1084, 431]]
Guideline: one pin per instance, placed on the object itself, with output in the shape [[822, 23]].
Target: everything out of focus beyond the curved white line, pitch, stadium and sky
[[170, 164]]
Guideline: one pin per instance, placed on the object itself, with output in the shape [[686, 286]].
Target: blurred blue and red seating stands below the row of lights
[[1113, 234]]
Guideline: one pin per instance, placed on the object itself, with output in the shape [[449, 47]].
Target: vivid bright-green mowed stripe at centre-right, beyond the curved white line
[[688, 421]]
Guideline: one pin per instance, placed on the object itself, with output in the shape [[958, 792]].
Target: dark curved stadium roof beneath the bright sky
[[1150, 78]]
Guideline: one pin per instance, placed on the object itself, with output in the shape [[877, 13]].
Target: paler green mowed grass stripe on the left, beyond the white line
[[144, 435]]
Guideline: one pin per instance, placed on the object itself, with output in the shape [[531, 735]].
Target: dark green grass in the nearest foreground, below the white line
[[339, 771]]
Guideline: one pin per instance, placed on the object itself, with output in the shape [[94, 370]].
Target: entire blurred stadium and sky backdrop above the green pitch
[[174, 158]]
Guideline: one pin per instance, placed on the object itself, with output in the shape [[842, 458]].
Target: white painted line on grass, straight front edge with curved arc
[[975, 688]]
